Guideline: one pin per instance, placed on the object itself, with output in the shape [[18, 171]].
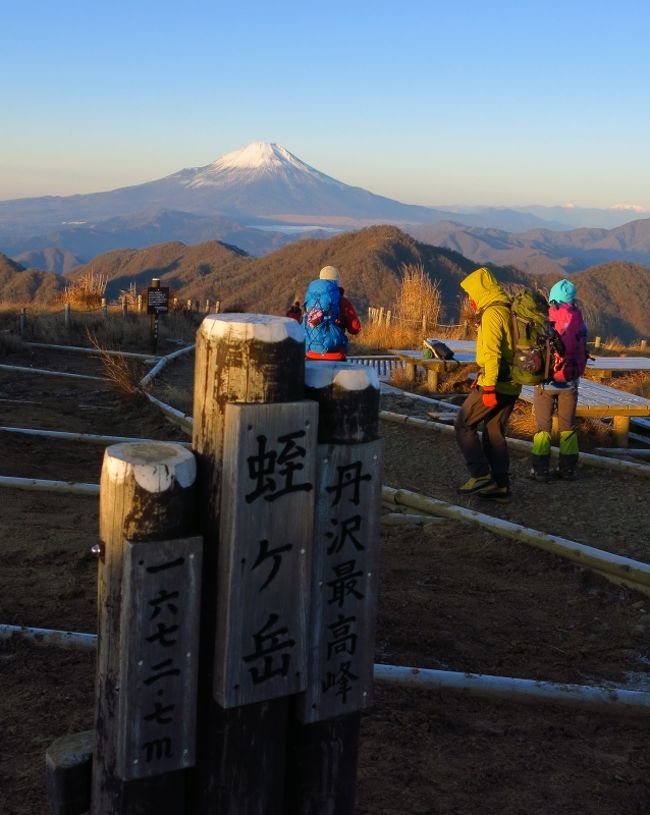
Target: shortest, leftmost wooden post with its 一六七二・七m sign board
[[148, 602]]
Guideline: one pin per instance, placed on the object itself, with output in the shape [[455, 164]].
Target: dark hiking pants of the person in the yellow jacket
[[489, 453]]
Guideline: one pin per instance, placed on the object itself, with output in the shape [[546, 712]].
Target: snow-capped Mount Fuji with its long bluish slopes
[[260, 183]]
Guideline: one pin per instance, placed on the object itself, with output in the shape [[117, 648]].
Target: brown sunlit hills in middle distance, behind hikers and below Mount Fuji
[[616, 296]]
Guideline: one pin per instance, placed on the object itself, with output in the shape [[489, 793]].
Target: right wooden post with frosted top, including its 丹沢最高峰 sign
[[323, 744]]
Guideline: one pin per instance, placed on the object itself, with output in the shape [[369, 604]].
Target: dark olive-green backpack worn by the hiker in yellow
[[534, 339]]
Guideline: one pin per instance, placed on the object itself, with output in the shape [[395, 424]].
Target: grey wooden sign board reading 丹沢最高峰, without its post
[[344, 581]]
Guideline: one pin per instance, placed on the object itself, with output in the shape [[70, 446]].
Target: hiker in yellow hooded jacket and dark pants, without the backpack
[[488, 406]]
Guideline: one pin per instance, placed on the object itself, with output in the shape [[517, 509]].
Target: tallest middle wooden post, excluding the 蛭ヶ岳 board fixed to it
[[240, 358]]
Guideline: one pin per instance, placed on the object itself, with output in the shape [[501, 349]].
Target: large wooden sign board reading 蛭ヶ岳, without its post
[[265, 551]]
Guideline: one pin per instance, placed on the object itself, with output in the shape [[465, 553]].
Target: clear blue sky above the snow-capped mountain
[[510, 102]]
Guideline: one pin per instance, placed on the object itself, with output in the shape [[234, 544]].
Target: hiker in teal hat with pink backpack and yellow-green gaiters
[[562, 393]]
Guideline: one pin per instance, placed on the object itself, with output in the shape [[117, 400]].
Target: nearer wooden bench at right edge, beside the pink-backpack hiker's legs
[[601, 401]]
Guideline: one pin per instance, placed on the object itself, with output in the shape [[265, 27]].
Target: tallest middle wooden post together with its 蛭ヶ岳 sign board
[[244, 362]]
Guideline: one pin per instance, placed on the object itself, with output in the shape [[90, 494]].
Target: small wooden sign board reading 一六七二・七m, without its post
[[159, 657]]
